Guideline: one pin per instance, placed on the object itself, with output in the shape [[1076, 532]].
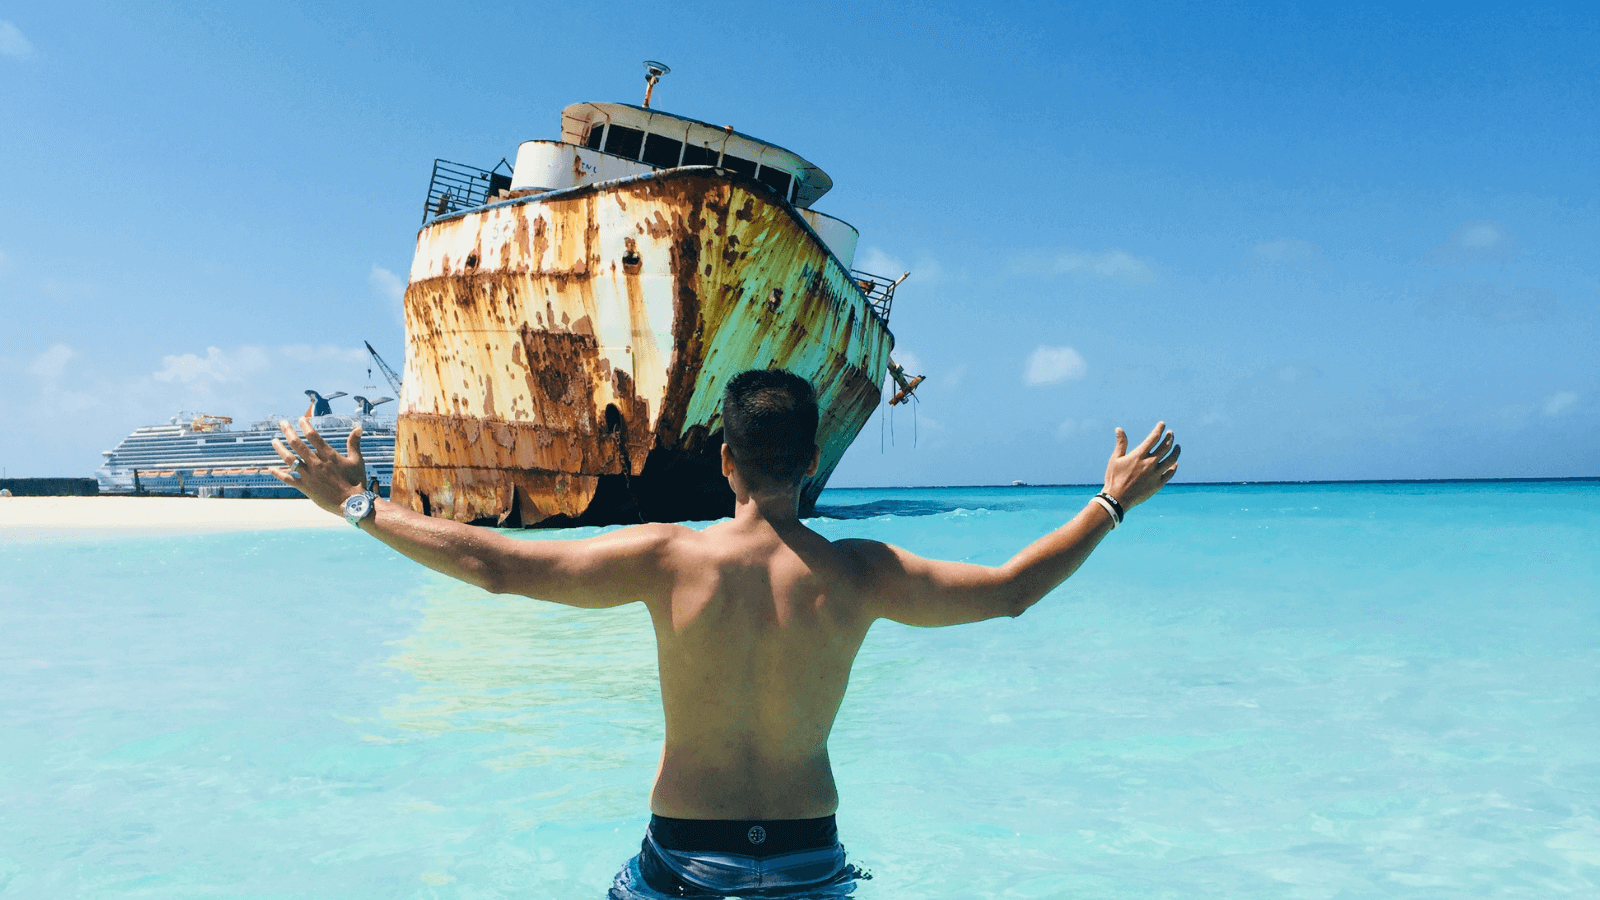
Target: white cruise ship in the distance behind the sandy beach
[[207, 457]]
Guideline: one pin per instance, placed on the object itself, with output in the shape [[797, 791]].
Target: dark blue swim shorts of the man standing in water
[[692, 858]]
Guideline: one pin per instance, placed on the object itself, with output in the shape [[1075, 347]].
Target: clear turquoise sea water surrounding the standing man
[[1279, 693]]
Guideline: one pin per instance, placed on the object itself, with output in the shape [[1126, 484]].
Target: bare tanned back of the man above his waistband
[[756, 640]]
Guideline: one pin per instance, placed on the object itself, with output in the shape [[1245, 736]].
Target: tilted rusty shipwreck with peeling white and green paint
[[572, 324]]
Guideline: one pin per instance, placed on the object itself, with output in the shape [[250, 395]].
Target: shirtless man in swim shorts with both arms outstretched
[[758, 624]]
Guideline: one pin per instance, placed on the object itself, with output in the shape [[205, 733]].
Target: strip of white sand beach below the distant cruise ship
[[71, 516]]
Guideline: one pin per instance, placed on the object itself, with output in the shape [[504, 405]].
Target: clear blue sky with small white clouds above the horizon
[[1322, 243]]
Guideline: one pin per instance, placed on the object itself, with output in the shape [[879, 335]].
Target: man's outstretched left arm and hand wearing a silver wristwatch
[[598, 573]]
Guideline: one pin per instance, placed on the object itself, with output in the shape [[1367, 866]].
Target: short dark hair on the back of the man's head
[[769, 422]]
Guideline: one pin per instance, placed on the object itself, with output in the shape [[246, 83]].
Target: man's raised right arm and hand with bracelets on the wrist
[[930, 593]]
